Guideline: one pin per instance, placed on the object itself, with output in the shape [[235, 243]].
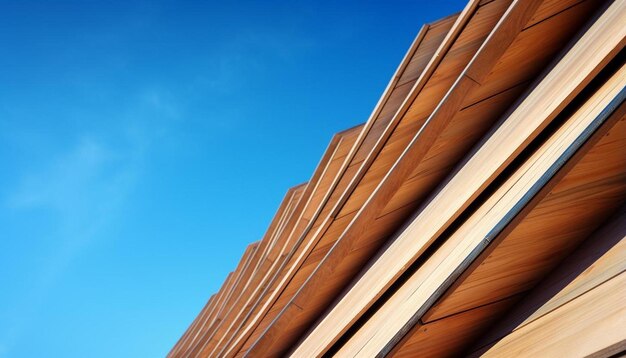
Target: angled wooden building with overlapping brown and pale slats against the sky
[[480, 210]]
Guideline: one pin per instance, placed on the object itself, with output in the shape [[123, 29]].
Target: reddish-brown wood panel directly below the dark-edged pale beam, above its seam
[[506, 269]]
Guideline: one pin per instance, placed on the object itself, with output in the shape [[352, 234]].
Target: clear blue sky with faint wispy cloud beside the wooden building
[[144, 144]]
